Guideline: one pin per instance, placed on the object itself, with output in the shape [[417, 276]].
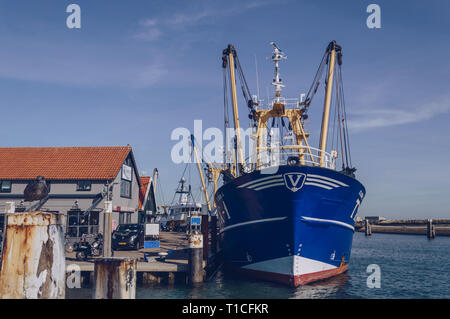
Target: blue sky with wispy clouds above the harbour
[[138, 69]]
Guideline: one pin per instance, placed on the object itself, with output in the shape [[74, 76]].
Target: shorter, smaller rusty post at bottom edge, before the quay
[[115, 278]]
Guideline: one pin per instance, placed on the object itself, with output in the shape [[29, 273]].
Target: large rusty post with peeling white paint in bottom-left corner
[[33, 258]]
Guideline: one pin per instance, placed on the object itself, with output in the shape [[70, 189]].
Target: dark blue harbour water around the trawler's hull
[[411, 267]]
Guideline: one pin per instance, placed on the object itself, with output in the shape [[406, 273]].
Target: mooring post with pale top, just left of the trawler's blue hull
[[196, 272]]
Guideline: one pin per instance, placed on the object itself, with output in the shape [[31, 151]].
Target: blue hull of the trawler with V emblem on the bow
[[293, 226]]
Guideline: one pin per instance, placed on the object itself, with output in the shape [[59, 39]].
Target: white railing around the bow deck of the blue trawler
[[266, 157]]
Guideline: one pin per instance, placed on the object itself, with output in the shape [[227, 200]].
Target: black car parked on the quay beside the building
[[128, 236]]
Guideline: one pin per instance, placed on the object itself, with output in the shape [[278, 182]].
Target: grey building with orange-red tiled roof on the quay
[[78, 179]]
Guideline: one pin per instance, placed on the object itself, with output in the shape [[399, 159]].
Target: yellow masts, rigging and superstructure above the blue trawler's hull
[[298, 152]]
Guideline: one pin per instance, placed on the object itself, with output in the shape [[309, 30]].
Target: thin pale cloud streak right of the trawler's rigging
[[377, 118]]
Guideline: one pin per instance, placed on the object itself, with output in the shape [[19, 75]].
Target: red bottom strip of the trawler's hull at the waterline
[[291, 280]]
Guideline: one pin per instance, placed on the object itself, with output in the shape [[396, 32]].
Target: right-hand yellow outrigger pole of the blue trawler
[[332, 48]]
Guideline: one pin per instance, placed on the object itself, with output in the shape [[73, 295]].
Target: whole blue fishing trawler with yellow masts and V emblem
[[287, 213]]
